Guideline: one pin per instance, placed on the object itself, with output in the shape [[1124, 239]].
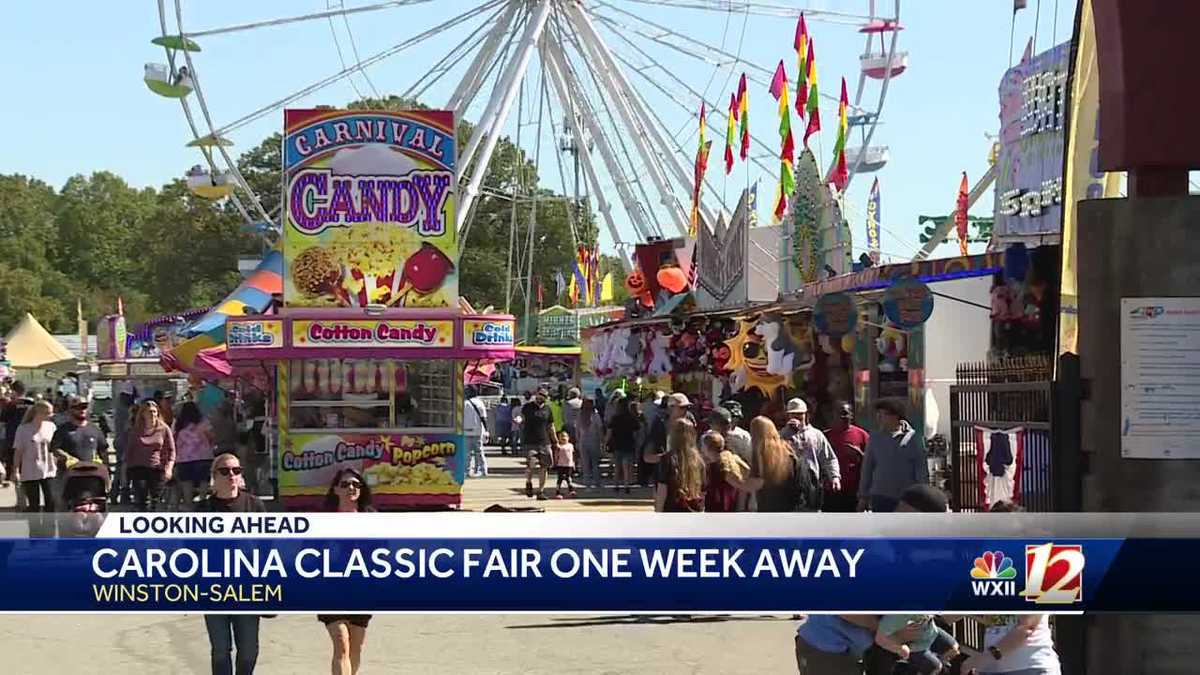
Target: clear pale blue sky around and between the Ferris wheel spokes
[[76, 100]]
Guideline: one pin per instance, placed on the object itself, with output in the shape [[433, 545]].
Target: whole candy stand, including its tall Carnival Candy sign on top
[[370, 344]]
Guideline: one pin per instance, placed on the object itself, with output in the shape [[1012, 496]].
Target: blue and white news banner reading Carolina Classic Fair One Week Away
[[695, 564]]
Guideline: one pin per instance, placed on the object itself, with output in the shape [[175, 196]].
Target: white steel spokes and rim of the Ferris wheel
[[550, 29]]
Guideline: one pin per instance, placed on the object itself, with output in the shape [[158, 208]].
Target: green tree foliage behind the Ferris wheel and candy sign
[[165, 250]]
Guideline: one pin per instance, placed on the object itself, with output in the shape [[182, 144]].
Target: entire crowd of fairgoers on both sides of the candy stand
[[717, 462]]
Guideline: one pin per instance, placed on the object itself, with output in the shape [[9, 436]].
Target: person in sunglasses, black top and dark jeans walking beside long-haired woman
[[229, 630]]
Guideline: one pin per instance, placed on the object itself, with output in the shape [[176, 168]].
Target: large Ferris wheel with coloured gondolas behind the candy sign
[[597, 82]]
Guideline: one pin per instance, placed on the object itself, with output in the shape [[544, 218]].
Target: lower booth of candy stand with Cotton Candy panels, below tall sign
[[381, 393]]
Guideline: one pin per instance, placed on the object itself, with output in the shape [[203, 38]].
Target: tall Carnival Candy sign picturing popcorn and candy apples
[[370, 200]]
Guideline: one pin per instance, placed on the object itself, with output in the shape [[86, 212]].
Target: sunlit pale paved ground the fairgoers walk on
[[455, 644]]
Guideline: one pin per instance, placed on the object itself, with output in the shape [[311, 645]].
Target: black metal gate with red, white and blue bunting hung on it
[[1000, 396]]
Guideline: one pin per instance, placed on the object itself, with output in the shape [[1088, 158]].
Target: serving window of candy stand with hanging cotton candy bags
[[371, 395]]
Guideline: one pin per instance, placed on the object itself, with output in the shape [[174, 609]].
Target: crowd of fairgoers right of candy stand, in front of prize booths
[[761, 464]]
